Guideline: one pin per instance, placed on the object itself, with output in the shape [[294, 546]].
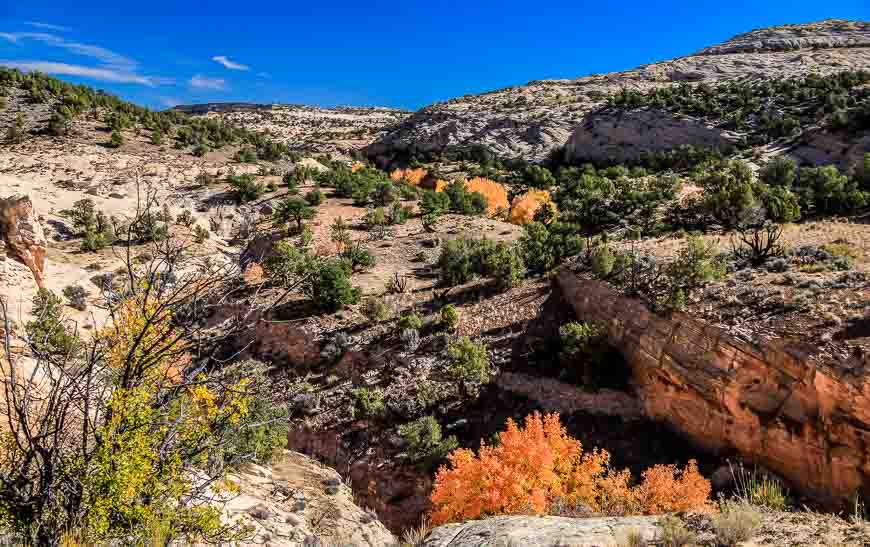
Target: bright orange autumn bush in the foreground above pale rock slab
[[532, 469]]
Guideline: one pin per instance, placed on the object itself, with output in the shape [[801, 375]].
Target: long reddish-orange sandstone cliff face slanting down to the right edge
[[768, 403]]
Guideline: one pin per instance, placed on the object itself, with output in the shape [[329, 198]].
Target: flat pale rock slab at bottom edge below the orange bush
[[540, 531]]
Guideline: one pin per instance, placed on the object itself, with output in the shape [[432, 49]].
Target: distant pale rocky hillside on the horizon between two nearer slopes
[[337, 131]]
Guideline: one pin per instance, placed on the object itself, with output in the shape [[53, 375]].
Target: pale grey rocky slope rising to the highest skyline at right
[[533, 120]]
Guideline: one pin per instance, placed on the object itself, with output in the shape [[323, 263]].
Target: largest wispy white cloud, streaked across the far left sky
[[113, 67]]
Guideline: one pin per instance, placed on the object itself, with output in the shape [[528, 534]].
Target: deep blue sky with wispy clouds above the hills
[[404, 54]]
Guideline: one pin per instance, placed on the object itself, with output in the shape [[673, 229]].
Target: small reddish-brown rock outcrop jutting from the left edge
[[23, 235]]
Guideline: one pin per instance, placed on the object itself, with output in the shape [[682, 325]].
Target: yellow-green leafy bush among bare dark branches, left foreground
[[154, 428]]
